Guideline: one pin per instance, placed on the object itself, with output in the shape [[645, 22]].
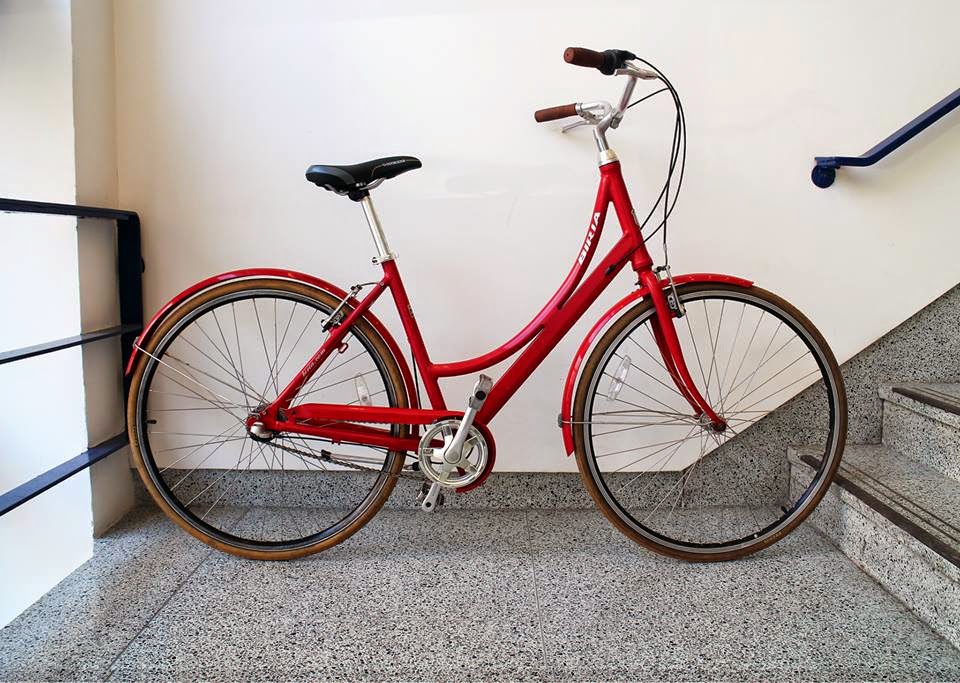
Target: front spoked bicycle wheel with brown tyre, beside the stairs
[[668, 479]]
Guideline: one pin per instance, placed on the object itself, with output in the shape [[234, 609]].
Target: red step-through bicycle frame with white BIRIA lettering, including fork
[[539, 336]]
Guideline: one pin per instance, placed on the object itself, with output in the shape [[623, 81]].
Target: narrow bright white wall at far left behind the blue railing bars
[[41, 404]]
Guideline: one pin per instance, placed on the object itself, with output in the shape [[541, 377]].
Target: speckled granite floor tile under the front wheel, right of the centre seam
[[797, 609]]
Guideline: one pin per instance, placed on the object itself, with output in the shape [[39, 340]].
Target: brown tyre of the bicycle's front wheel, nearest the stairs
[[579, 409]]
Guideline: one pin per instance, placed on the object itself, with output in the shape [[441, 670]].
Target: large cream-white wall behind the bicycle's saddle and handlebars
[[222, 105]]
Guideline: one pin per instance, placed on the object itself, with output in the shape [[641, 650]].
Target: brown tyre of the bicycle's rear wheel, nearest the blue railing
[[376, 341]]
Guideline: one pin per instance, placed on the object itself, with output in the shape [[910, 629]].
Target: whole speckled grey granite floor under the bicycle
[[467, 594]]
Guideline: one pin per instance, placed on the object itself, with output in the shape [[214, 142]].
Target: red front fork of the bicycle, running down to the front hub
[[668, 343]]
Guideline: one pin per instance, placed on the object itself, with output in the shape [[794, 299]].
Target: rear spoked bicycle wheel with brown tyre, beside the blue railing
[[214, 361]]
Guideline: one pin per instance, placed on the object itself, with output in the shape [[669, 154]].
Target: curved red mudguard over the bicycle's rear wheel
[[283, 275]]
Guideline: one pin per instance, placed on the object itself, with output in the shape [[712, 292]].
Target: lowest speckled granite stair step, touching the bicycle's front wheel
[[899, 520]]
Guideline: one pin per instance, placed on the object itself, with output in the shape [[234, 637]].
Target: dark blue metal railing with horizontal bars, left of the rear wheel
[[129, 272]]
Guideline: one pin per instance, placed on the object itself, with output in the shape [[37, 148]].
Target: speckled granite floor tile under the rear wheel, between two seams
[[410, 597]]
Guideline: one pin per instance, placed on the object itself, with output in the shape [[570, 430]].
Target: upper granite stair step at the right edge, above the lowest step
[[922, 421]]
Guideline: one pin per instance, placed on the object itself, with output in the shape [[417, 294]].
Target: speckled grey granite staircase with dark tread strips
[[894, 507]]
